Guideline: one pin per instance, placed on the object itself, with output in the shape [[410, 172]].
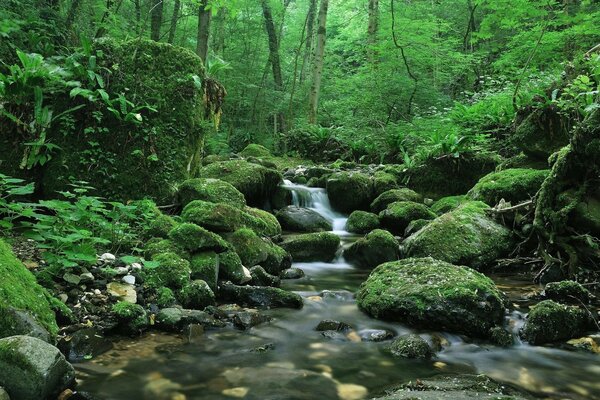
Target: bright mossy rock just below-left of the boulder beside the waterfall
[[211, 190]]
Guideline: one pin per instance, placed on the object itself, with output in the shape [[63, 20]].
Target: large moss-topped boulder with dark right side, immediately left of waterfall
[[256, 182]]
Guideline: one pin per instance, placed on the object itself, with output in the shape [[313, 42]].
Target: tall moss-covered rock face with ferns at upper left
[[126, 160]]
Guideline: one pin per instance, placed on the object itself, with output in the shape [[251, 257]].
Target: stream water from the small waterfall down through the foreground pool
[[288, 359]]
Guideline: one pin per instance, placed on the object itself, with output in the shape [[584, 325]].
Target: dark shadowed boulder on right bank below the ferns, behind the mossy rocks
[[437, 178]]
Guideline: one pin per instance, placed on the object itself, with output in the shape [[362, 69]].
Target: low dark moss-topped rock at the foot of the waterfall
[[308, 247]]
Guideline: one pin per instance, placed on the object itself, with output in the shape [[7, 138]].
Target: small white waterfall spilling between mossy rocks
[[316, 199]]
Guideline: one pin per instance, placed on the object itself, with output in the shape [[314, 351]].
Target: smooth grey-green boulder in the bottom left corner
[[33, 369]]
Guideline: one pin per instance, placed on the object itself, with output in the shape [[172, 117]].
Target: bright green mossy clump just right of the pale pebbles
[[173, 272]]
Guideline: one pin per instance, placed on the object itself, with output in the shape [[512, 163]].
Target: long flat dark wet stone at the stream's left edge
[[259, 296]]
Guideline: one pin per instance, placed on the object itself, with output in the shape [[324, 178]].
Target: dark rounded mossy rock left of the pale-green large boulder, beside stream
[[374, 249]]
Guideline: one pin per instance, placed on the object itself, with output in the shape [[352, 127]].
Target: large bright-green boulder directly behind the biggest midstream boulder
[[465, 236]]
